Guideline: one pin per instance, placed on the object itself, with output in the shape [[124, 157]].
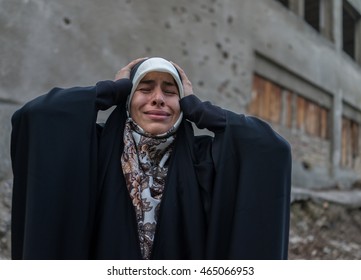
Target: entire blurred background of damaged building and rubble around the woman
[[294, 63]]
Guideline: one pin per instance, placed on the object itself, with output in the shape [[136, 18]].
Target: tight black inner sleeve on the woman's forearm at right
[[203, 114]]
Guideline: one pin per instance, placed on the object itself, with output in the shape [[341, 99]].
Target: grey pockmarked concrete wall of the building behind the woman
[[219, 43]]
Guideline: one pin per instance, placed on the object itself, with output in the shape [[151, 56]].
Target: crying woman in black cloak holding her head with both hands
[[143, 186]]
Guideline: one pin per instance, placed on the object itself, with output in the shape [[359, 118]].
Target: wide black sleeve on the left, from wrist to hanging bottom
[[54, 161]]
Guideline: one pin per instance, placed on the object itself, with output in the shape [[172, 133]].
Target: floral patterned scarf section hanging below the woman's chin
[[145, 165]]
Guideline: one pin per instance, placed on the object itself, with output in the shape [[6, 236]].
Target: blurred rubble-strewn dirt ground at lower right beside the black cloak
[[324, 231]]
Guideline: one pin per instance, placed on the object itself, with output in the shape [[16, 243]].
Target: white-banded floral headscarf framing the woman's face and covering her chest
[[145, 158]]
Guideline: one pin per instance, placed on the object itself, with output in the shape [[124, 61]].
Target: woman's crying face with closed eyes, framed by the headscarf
[[155, 103]]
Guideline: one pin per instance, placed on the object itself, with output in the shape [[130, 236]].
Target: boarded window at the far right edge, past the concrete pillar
[[350, 149]]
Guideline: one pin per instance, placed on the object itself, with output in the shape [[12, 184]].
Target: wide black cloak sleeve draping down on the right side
[[251, 191]]
